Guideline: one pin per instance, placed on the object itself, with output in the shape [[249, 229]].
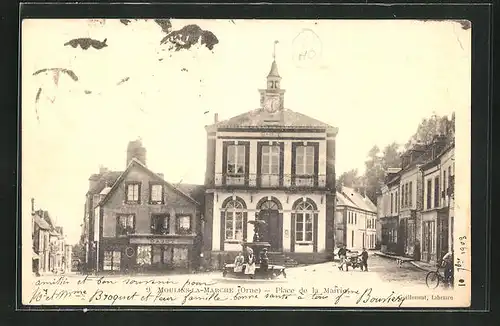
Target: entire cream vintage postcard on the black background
[[270, 163]]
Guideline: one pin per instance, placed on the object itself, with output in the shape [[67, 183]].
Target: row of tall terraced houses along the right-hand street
[[416, 205]]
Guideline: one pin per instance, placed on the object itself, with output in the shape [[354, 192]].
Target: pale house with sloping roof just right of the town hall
[[355, 220]]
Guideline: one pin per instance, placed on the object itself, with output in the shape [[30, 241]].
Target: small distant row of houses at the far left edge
[[51, 253]]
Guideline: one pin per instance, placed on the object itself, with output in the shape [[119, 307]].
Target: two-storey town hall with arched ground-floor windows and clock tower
[[271, 164]]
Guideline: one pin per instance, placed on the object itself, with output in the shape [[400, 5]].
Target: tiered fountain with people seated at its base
[[254, 263]]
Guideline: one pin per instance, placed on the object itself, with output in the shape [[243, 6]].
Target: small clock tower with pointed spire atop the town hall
[[272, 98]]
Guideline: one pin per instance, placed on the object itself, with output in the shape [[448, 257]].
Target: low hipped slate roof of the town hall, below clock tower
[[260, 118]]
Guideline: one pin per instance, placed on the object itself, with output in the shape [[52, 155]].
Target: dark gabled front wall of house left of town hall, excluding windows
[[170, 244]]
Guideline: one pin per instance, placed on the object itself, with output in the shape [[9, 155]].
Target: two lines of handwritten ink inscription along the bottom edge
[[102, 290]]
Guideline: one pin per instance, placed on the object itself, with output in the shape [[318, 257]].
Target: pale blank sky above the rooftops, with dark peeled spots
[[374, 80]]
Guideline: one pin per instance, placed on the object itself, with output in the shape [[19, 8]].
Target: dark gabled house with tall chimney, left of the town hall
[[141, 222]]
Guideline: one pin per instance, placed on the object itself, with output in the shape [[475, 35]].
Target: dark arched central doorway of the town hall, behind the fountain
[[269, 211]]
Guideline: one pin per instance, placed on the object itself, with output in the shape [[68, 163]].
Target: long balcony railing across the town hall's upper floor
[[270, 181]]
